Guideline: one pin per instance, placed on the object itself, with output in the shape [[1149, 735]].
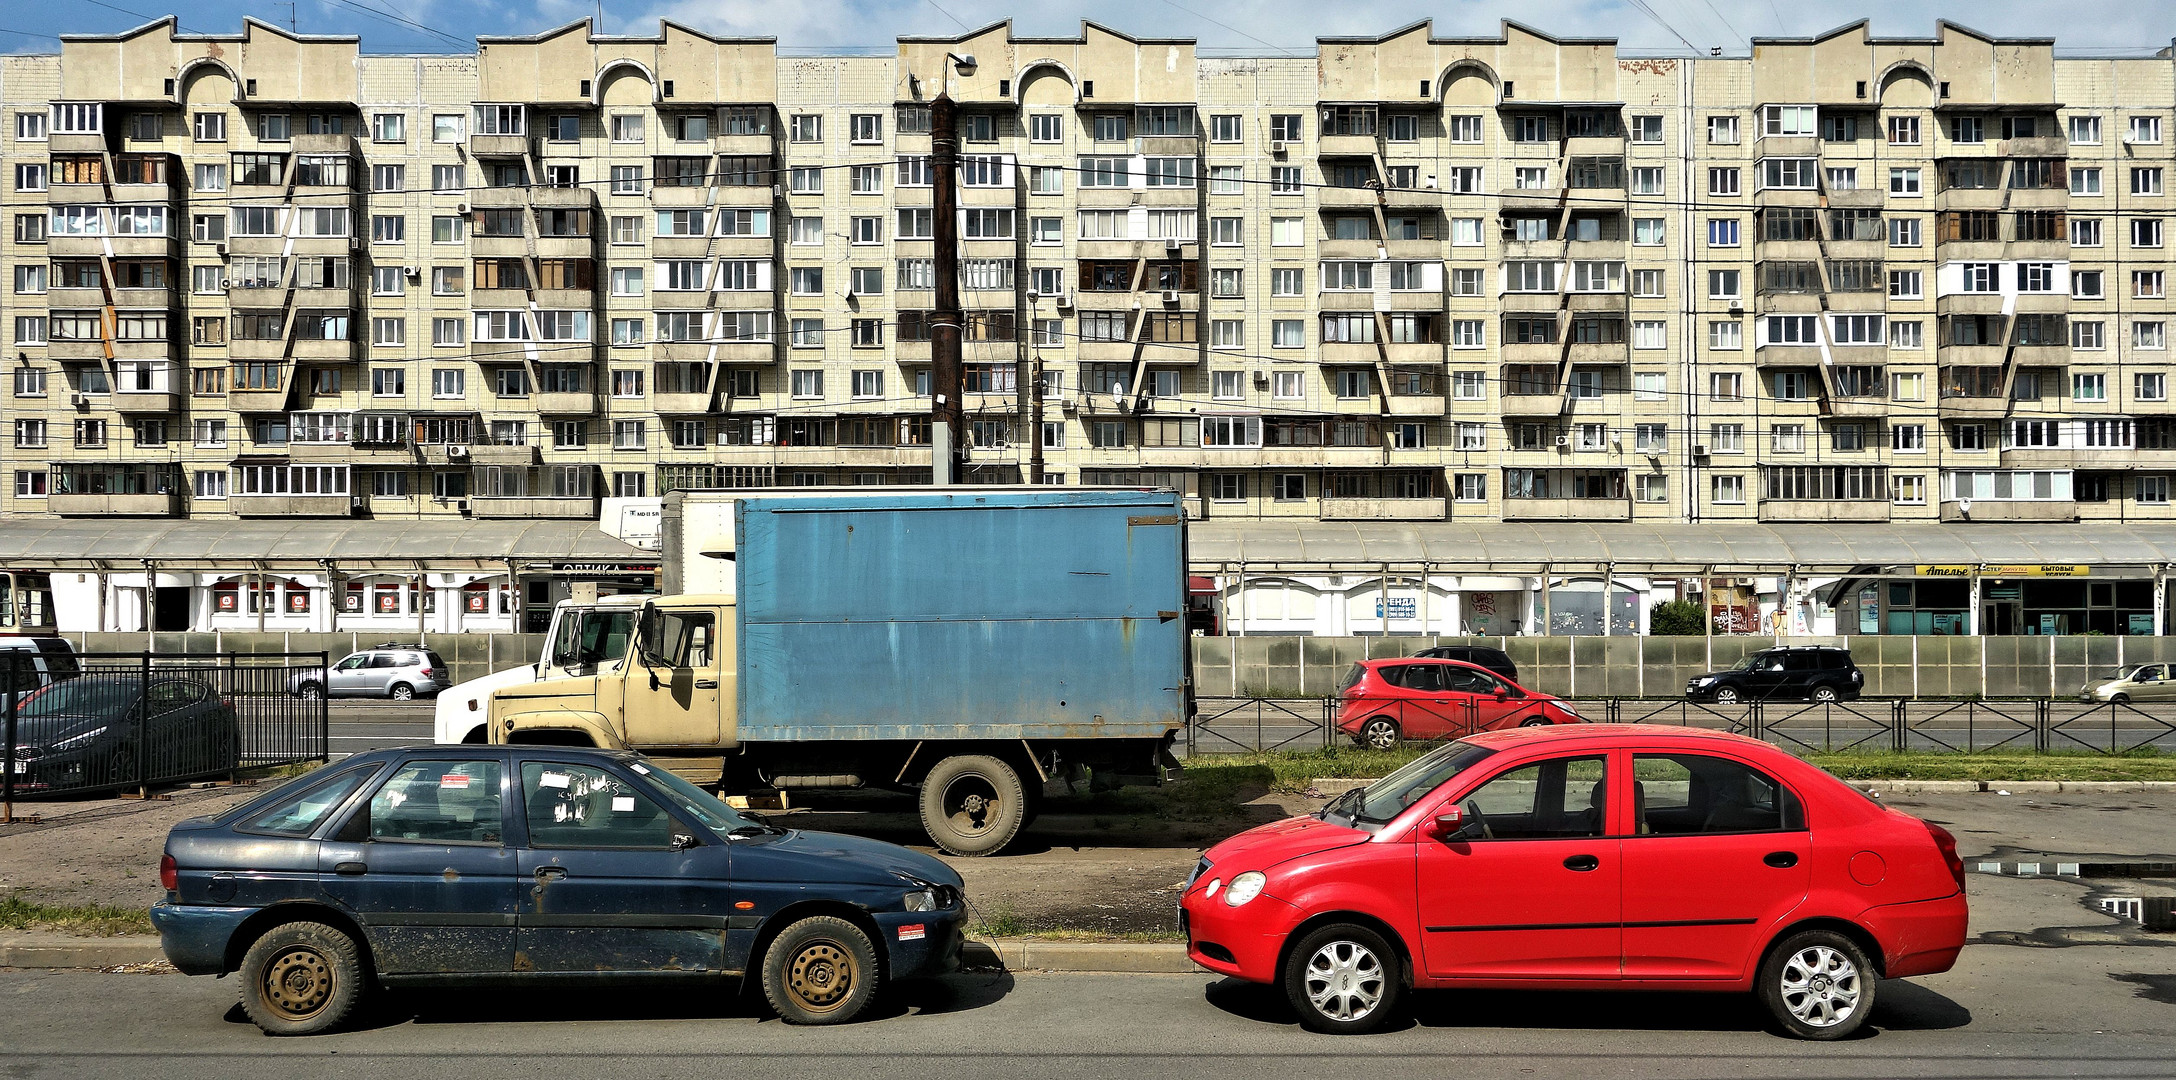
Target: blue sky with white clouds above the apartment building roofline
[[1261, 27]]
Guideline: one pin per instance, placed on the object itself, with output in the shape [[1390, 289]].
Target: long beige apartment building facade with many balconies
[[1524, 280]]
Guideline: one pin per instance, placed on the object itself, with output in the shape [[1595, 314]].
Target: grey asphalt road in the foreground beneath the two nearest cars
[[2005, 1014]]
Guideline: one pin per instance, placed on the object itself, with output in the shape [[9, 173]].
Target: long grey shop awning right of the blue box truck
[[1646, 550]]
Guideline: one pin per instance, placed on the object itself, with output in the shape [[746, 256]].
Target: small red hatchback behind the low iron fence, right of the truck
[[1385, 702]]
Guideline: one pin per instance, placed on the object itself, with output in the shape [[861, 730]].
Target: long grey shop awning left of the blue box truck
[[312, 545]]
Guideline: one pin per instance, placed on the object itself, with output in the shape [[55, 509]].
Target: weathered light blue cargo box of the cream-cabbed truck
[[961, 615]]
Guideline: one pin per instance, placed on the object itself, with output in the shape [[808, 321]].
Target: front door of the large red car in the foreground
[[1529, 889]]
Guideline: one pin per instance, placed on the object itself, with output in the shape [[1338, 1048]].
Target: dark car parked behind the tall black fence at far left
[[108, 731]]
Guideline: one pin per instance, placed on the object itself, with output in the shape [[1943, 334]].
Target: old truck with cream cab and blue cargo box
[[961, 643]]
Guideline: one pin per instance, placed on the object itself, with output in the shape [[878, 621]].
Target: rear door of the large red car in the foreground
[[1718, 859]]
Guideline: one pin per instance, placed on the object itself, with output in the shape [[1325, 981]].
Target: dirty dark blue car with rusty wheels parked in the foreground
[[489, 863]]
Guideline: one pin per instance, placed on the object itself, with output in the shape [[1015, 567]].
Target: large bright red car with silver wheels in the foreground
[[1596, 857]]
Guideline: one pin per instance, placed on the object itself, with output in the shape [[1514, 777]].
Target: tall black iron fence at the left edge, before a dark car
[[103, 722]]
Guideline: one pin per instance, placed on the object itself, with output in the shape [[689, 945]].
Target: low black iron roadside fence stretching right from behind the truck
[[2010, 726]]
